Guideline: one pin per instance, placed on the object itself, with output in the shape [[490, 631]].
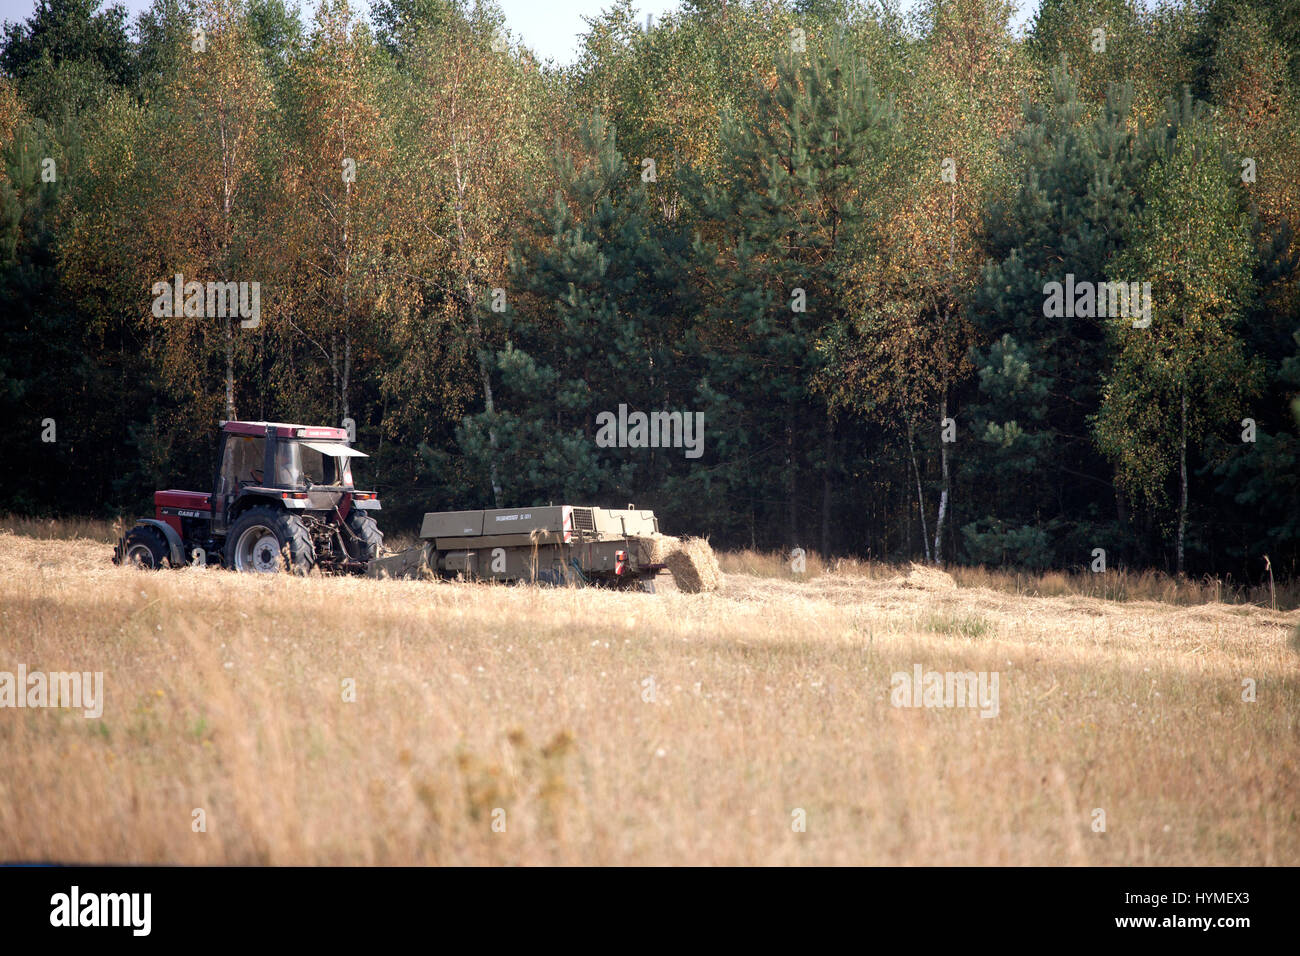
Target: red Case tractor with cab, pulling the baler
[[283, 500]]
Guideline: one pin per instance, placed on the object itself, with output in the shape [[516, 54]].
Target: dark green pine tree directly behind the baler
[[599, 322]]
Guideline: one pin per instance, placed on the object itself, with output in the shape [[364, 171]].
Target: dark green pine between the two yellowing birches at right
[[1047, 490]]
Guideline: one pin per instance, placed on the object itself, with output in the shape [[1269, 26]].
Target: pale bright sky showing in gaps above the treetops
[[551, 28]]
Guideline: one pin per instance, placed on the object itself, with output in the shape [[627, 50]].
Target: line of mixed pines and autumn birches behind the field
[[883, 259]]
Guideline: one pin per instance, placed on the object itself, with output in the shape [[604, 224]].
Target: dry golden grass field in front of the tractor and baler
[[224, 693]]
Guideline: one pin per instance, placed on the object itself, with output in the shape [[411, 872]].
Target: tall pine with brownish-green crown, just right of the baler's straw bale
[[778, 239]]
